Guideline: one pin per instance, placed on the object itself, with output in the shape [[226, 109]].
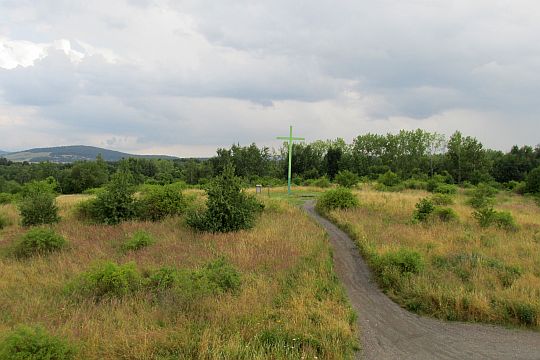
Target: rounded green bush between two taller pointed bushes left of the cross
[[158, 202]]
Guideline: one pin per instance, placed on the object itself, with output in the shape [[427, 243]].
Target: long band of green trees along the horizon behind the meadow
[[409, 154]]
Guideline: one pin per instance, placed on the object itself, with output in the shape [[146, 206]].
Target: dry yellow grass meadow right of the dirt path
[[466, 272]]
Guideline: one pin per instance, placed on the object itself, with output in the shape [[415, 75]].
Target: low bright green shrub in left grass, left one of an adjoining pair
[[106, 280]]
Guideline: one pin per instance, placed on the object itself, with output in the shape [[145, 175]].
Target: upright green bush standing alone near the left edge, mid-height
[[38, 204]]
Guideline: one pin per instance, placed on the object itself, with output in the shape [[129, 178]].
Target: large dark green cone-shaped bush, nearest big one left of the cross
[[228, 207]]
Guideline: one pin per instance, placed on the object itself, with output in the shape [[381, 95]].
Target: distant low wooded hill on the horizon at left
[[69, 154]]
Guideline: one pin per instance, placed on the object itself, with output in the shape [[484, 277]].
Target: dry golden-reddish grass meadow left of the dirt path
[[290, 304]]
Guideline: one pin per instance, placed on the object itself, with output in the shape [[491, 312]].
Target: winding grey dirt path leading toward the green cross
[[389, 332]]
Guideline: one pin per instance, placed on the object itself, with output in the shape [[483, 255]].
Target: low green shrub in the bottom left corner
[[34, 343]]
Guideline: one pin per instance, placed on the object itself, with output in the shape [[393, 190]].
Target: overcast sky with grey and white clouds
[[185, 77]]
